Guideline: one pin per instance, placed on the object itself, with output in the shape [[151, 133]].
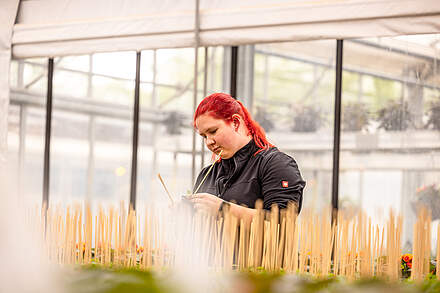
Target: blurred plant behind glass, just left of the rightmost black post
[[307, 118]]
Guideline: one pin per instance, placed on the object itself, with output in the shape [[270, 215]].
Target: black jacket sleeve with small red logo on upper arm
[[281, 181]]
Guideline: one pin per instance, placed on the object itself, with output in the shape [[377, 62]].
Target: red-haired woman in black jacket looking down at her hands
[[250, 167]]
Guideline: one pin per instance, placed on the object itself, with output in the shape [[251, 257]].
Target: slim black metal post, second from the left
[[135, 133]]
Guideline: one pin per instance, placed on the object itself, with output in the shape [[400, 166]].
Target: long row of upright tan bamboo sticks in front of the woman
[[351, 246]]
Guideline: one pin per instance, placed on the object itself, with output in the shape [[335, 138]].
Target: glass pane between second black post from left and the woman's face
[[165, 134]]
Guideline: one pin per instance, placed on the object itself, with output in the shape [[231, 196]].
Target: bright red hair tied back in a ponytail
[[223, 106]]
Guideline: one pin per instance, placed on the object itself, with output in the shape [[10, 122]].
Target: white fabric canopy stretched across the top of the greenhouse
[[66, 27]]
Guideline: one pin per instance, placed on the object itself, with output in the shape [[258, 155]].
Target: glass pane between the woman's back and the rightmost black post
[[293, 101]]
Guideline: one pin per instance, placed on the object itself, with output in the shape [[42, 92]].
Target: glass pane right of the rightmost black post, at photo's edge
[[390, 129]]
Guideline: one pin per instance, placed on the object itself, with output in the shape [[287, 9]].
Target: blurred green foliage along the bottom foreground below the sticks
[[101, 279]]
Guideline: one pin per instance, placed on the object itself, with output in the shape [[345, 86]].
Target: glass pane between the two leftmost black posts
[[92, 136]]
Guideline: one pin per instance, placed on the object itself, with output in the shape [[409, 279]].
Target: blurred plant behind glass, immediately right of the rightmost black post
[[355, 116]]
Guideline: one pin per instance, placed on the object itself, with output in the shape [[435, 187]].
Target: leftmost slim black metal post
[[46, 171]]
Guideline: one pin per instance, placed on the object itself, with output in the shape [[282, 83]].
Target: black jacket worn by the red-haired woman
[[270, 175]]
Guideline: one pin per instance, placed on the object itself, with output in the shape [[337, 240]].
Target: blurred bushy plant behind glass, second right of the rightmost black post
[[395, 116]]
